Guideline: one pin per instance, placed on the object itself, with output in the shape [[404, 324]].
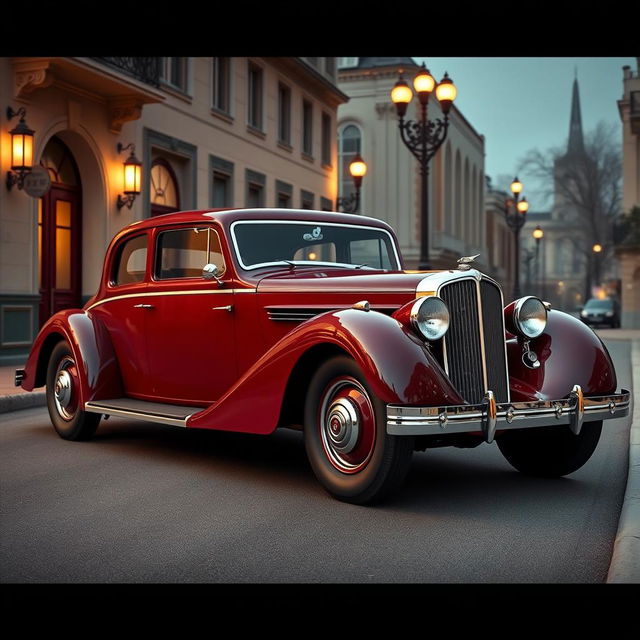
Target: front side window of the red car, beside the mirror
[[182, 253]]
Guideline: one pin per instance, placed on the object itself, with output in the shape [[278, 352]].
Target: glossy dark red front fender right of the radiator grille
[[570, 353]]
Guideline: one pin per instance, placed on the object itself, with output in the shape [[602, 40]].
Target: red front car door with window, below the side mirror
[[190, 329]]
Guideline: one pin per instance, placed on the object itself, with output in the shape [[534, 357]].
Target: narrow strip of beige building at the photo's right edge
[[628, 251]]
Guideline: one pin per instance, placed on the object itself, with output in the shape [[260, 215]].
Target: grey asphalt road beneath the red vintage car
[[148, 503]]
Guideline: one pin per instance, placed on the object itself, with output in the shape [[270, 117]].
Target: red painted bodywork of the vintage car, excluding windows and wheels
[[198, 343]]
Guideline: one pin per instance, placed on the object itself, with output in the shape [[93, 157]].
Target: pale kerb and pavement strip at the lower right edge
[[625, 561]]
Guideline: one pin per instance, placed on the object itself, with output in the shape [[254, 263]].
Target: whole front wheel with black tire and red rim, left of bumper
[[360, 465]]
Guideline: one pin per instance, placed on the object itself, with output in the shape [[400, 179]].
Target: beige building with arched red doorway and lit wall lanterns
[[209, 132]]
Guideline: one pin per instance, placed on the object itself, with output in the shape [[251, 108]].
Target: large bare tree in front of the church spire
[[585, 185]]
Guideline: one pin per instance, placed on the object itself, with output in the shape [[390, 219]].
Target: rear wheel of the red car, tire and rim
[[63, 399]]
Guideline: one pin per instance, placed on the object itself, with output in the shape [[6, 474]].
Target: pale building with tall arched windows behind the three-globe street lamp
[[391, 188]]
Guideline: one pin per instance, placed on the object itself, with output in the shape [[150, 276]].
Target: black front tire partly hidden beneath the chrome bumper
[[549, 452]]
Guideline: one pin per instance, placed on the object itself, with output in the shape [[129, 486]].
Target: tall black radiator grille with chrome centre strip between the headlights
[[474, 345]]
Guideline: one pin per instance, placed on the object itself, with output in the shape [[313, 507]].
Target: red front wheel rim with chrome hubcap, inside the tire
[[347, 425]]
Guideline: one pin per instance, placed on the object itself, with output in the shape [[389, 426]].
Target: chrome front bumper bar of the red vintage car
[[489, 416]]
